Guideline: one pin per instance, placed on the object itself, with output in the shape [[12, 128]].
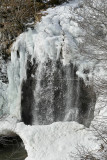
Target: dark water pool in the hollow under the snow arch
[[12, 150]]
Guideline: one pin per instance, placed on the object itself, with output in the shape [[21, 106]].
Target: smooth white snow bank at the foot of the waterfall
[[58, 141]]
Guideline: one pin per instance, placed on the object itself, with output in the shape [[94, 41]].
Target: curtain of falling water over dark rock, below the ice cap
[[53, 92]]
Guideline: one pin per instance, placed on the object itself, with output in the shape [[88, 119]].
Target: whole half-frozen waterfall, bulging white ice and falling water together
[[47, 77]]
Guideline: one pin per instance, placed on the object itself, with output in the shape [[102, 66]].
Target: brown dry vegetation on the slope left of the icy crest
[[14, 15]]
